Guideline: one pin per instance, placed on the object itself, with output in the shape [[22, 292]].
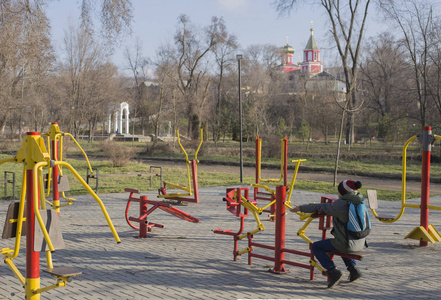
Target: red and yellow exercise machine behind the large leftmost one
[[55, 178]]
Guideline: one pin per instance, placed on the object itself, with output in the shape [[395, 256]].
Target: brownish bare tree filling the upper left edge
[[25, 59]]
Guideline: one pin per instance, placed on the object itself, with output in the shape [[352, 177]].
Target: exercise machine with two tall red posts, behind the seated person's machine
[[269, 194]]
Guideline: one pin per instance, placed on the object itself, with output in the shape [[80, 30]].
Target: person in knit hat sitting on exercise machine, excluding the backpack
[[347, 192]]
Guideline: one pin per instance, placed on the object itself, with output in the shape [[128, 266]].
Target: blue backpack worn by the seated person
[[359, 224]]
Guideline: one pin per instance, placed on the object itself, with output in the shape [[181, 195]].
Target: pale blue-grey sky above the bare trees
[[252, 21]]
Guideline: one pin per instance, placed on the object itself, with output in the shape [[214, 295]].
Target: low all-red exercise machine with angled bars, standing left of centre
[[144, 211]]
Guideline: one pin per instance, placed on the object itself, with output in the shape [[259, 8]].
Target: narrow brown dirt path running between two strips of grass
[[374, 183]]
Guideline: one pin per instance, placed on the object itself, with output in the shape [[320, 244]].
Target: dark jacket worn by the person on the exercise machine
[[339, 211]]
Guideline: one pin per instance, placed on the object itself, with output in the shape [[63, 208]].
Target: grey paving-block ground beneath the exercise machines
[[188, 261]]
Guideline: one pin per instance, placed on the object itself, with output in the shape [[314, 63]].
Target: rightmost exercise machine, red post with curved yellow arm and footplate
[[424, 233]]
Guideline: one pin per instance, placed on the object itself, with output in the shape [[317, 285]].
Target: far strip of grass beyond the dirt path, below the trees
[[377, 158]]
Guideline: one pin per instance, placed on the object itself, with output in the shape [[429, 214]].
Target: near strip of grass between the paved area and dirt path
[[174, 175]]
